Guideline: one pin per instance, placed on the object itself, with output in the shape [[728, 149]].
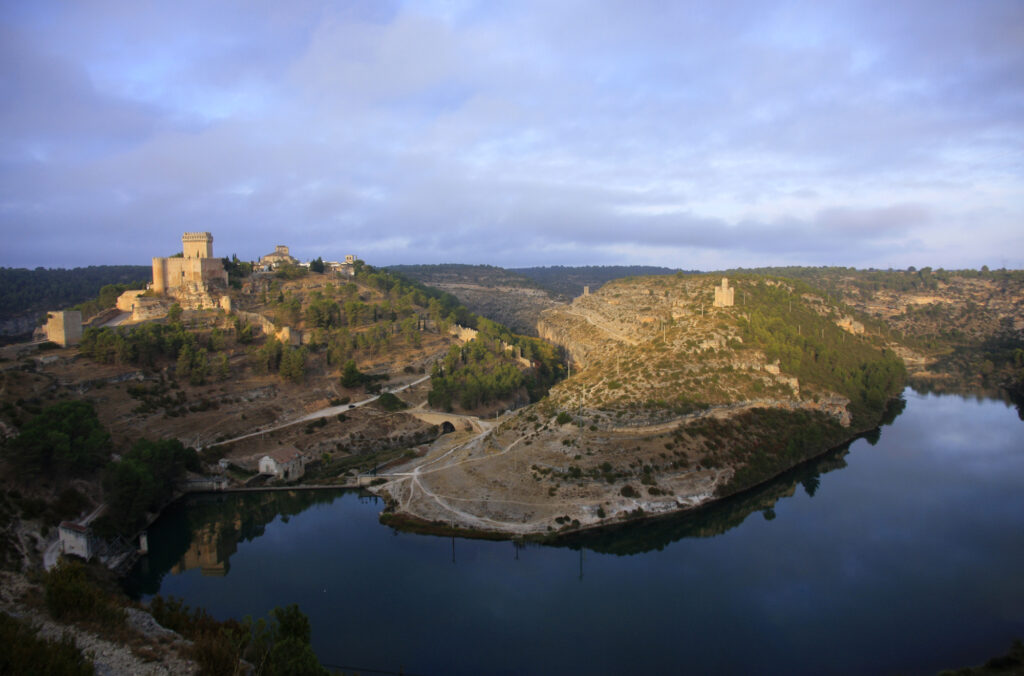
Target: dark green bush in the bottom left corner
[[25, 653]]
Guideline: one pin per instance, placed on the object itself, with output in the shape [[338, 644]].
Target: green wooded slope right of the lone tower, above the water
[[810, 347]]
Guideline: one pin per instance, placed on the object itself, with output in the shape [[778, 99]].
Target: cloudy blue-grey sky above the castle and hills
[[688, 135]]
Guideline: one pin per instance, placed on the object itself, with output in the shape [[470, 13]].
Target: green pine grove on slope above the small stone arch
[[484, 370]]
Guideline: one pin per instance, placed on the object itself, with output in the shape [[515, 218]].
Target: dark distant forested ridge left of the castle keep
[[44, 289]]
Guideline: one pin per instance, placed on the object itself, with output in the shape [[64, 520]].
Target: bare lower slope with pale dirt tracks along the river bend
[[535, 483]]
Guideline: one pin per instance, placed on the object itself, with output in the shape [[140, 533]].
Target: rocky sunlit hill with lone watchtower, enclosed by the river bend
[[672, 403]]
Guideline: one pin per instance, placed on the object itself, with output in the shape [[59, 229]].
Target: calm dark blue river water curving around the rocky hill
[[903, 557]]
